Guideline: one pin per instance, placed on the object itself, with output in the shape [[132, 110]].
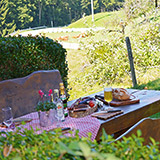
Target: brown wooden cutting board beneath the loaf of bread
[[116, 103]]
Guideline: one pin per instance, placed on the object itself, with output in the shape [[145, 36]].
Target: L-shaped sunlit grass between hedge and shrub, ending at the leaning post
[[77, 61]]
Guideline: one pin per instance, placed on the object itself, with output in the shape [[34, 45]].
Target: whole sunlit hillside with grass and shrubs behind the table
[[94, 64]]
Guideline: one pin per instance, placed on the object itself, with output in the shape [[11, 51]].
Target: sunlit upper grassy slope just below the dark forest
[[112, 20]]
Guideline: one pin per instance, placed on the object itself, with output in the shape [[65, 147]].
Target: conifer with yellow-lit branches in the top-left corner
[[5, 28]]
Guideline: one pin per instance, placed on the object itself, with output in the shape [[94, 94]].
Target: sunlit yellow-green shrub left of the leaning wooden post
[[108, 61]]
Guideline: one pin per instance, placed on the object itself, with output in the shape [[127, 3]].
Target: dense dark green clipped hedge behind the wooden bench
[[20, 56]]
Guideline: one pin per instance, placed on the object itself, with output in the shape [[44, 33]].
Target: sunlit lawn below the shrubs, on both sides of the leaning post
[[77, 61]]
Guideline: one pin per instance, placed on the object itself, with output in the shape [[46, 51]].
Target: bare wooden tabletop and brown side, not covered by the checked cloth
[[149, 105]]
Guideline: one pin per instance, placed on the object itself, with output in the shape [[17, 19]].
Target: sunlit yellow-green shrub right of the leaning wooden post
[[146, 47]]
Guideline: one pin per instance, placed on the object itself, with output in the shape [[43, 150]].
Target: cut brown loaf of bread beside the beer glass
[[120, 94]]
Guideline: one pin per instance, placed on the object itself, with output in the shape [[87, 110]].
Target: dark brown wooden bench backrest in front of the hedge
[[21, 94]]
